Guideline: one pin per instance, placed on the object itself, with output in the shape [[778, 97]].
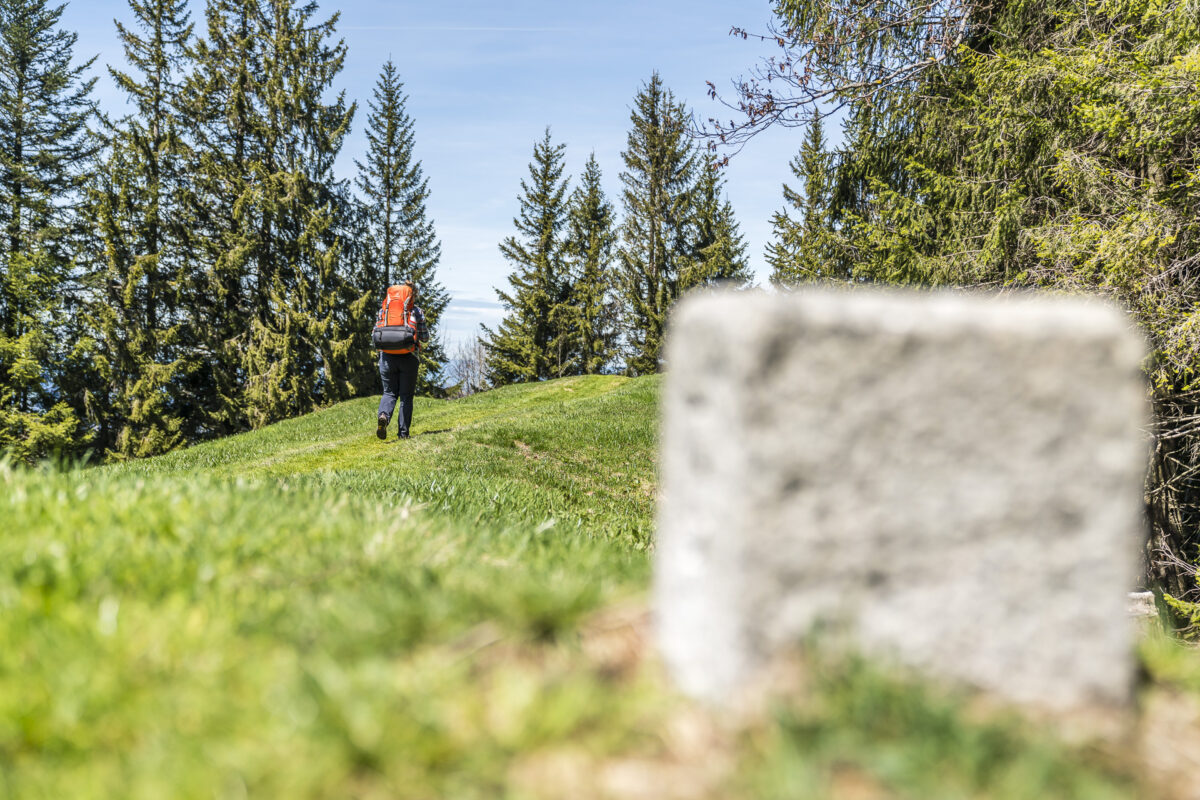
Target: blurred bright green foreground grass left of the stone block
[[166, 639]]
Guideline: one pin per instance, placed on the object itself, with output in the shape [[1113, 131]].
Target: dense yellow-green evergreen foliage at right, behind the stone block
[[1076, 181]]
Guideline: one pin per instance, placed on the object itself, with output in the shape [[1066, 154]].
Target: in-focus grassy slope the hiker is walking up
[[578, 452]]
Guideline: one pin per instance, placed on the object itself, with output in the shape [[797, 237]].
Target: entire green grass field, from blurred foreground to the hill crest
[[308, 612]]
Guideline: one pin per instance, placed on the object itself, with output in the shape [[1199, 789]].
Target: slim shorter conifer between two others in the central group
[[591, 240]]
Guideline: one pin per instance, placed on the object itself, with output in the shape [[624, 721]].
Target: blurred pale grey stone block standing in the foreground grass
[[950, 480]]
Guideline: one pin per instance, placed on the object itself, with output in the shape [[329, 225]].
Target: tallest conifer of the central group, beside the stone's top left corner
[[661, 165]]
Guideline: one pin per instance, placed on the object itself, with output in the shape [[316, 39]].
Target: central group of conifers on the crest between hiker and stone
[[590, 294]]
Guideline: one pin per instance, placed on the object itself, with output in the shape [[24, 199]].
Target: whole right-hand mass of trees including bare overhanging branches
[[1048, 146]]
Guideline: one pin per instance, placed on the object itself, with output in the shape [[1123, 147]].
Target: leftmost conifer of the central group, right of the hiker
[[533, 341]]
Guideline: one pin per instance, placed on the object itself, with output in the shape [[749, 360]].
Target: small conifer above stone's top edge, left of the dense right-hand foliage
[[803, 248]]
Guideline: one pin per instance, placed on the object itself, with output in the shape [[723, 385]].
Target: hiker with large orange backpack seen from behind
[[398, 335]]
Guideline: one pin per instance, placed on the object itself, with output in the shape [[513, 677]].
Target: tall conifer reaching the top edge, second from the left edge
[[134, 208]]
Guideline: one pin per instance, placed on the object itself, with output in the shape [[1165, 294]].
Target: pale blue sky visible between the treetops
[[485, 79]]
